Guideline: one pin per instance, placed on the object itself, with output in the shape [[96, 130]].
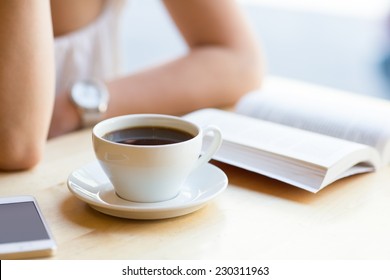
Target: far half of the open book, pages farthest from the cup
[[352, 117]]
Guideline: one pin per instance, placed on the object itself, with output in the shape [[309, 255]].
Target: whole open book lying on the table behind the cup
[[308, 139]]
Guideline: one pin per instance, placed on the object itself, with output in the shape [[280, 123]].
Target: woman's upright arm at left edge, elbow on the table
[[26, 81]]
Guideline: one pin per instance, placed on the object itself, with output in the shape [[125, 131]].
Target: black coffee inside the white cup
[[148, 136]]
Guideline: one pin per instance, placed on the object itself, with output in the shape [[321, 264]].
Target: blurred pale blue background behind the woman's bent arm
[[338, 43]]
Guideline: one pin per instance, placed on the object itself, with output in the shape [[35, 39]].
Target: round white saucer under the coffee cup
[[91, 185]]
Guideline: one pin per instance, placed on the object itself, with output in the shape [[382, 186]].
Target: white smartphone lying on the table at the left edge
[[23, 230]]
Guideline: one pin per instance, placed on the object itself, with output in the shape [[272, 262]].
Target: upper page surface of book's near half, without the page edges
[[304, 147]]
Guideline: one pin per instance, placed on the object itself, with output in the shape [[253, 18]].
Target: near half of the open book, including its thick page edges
[[302, 158]]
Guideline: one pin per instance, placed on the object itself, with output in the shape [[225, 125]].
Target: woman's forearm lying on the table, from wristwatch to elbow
[[208, 76]]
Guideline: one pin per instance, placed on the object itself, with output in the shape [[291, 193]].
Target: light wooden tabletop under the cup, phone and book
[[255, 218]]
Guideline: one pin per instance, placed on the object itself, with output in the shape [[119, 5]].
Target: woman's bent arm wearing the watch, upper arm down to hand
[[222, 64]]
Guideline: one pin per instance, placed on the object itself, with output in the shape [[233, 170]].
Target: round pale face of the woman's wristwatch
[[86, 95]]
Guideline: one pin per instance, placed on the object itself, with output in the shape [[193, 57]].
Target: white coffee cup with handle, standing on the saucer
[[151, 173]]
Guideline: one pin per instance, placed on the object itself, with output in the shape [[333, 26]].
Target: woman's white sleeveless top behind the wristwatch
[[91, 52]]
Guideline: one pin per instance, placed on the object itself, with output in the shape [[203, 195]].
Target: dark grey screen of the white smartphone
[[20, 222]]
